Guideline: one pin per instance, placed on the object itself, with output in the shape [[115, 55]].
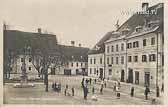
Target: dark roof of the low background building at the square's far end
[[72, 53]]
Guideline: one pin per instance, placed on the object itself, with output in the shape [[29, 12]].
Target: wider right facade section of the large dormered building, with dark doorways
[[142, 58]]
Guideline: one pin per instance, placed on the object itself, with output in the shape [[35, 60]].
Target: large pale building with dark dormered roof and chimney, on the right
[[142, 58]]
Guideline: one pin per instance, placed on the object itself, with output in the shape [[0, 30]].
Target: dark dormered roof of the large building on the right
[[141, 19]]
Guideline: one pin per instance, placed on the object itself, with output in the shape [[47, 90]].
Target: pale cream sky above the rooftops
[[83, 21]]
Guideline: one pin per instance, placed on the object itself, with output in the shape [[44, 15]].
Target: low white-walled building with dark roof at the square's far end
[[74, 60]]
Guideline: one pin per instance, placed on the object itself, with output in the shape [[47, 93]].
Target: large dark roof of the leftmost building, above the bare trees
[[15, 41]]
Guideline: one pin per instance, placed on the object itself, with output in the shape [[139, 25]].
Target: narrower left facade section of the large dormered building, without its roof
[[115, 58]]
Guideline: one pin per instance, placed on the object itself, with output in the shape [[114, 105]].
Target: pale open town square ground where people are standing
[[37, 94]]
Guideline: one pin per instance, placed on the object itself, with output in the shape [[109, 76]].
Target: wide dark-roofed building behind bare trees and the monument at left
[[28, 46]]
